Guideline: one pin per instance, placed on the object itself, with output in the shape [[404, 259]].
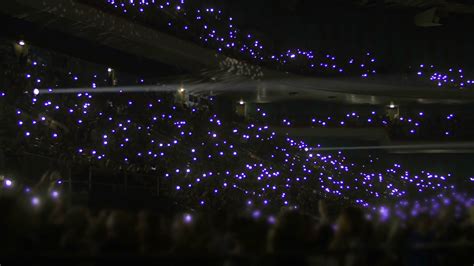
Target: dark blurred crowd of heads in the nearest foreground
[[340, 236]]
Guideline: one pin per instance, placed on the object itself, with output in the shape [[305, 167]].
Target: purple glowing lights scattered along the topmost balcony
[[216, 29]]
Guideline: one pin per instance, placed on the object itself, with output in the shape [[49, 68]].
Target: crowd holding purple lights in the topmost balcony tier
[[213, 27]]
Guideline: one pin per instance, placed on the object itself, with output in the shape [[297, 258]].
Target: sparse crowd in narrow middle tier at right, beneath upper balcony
[[413, 124]]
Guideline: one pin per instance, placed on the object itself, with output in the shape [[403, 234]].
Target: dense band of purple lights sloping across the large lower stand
[[218, 157]]
